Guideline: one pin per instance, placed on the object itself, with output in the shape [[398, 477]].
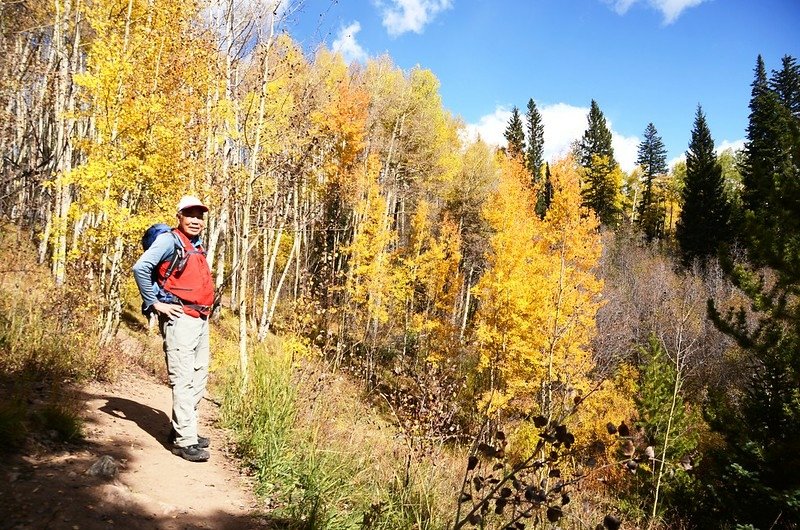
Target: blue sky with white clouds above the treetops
[[641, 60]]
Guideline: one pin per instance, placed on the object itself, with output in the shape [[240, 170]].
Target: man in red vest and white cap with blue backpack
[[175, 282]]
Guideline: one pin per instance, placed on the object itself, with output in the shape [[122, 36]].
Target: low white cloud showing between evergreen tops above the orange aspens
[[563, 124]]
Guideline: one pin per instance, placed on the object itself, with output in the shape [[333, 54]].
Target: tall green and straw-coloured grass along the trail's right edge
[[321, 458]]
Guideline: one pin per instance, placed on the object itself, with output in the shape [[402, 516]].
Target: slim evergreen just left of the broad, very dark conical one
[[652, 157]]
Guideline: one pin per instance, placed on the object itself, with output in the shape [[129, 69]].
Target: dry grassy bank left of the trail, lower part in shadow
[[47, 349]]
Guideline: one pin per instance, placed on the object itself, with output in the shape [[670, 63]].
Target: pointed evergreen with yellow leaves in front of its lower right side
[[596, 155]]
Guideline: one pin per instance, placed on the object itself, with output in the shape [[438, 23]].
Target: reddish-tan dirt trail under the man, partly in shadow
[[128, 420]]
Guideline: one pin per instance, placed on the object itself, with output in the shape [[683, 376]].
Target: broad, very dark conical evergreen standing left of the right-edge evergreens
[[704, 222]]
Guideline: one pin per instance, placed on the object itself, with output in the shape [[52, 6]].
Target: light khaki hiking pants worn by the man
[[187, 352]]
